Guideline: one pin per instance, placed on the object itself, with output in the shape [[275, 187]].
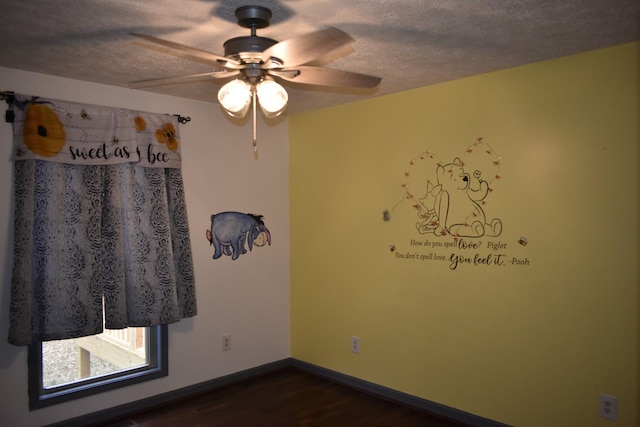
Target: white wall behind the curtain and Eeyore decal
[[248, 297]]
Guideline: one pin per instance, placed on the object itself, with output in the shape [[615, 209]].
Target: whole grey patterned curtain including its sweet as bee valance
[[101, 231]]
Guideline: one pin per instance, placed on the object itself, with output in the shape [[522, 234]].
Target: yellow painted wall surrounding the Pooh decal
[[529, 345]]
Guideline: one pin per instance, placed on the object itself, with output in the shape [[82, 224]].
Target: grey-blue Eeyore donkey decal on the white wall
[[230, 230]]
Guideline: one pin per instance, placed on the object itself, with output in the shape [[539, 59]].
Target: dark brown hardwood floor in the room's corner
[[287, 397]]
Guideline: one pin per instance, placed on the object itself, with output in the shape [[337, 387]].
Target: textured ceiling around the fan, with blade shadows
[[409, 43]]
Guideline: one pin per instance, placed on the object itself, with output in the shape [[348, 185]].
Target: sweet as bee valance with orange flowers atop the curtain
[[68, 132]]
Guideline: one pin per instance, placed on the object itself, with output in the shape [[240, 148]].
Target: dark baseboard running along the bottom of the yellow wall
[[398, 396]]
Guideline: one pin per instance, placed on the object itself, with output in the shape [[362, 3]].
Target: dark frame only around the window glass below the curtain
[[157, 367]]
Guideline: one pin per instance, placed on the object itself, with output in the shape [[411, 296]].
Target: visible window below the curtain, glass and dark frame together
[[64, 370]]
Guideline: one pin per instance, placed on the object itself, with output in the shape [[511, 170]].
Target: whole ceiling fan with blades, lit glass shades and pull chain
[[256, 64]]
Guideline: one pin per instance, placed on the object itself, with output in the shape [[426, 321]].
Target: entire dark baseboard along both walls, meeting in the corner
[[129, 409]]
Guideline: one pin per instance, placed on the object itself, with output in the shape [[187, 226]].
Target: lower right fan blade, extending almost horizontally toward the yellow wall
[[326, 77]]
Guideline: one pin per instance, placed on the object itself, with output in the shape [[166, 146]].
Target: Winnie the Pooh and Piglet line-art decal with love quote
[[452, 211]]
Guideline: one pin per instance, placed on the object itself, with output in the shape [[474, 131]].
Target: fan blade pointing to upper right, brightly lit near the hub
[[306, 48]]
